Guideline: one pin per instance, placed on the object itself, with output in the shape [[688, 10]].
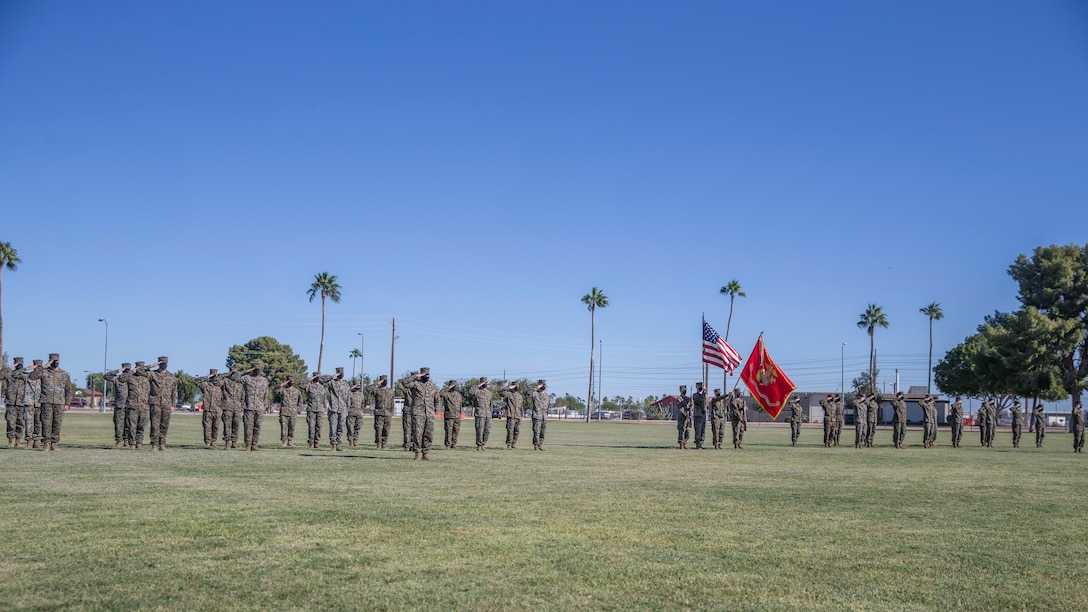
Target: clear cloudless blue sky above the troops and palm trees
[[474, 169]]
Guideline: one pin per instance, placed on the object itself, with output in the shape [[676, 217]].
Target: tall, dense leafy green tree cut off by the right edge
[[1055, 281]]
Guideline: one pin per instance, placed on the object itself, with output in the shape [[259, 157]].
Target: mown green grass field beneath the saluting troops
[[612, 517]]
